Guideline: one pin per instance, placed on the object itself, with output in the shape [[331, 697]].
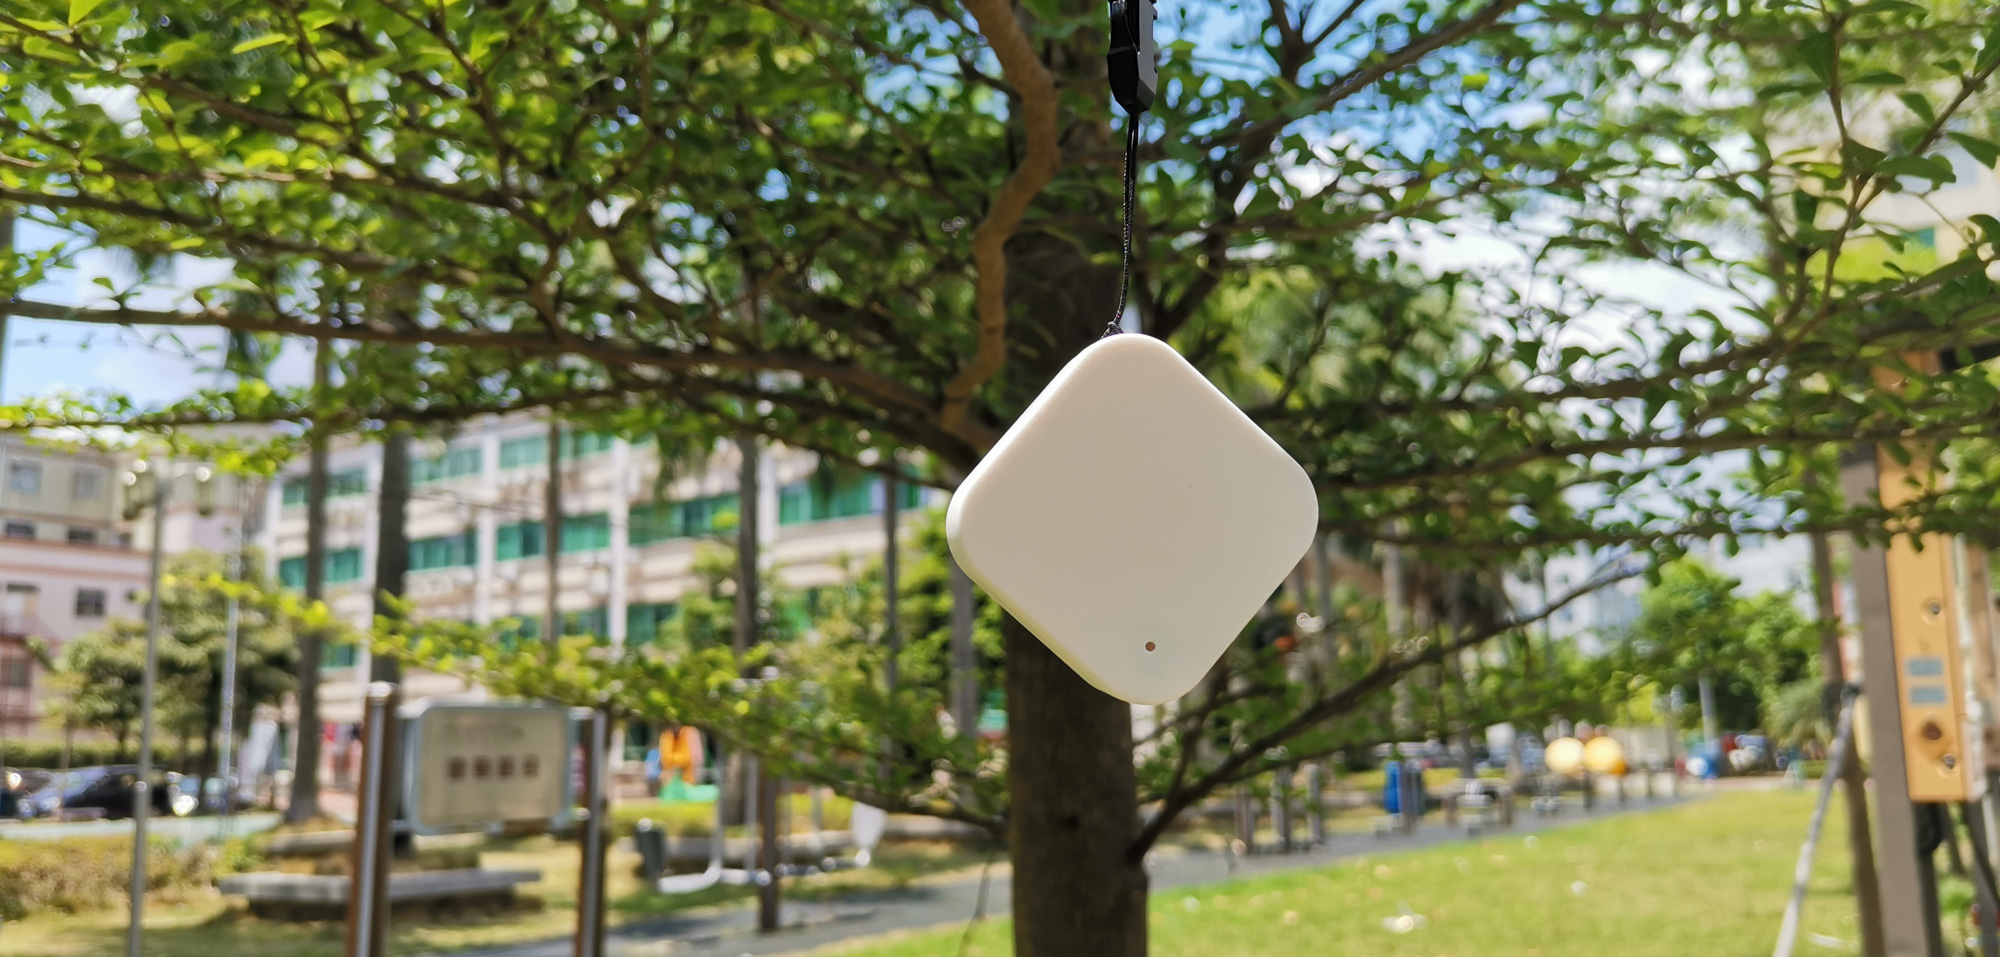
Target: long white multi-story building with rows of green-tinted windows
[[625, 552]]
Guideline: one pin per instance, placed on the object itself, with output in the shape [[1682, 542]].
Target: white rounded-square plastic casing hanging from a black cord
[[1133, 520]]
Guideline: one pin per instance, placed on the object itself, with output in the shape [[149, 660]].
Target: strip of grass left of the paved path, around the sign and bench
[[209, 926]]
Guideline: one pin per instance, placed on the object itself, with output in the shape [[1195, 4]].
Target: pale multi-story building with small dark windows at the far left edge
[[65, 566]]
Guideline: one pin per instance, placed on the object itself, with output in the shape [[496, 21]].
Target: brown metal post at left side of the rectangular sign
[[375, 824]]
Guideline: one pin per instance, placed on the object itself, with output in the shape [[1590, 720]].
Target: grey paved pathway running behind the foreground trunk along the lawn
[[811, 926]]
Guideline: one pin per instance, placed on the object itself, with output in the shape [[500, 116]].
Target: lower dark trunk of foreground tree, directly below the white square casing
[[1079, 884]]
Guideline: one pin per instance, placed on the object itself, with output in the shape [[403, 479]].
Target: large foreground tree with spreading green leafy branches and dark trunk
[[881, 227]]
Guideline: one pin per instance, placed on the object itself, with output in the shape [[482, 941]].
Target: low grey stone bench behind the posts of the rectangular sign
[[323, 898]]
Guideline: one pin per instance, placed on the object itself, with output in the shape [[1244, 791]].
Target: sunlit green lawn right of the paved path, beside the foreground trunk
[[1703, 880]]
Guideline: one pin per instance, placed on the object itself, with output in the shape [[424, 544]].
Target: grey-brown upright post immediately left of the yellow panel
[[1907, 880]]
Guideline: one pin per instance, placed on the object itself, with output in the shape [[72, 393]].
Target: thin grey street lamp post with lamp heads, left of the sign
[[149, 486]]
